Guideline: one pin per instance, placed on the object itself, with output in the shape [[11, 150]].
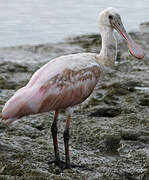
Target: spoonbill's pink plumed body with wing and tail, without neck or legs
[[54, 86]]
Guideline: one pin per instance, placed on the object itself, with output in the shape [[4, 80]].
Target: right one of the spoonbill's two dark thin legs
[[66, 142]]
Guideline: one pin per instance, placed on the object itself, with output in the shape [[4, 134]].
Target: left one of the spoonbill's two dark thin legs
[[54, 135]]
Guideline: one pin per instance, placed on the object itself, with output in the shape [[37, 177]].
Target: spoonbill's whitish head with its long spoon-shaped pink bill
[[110, 18]]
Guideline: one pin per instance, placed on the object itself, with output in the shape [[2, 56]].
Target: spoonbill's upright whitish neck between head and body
[[108, 51]]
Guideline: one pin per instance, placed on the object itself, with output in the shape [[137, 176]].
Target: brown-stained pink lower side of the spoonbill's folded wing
[[68, 88]]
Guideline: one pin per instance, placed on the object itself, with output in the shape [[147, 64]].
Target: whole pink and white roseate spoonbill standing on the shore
[[68, 80]]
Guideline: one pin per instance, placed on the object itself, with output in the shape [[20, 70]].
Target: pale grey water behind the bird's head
[[41, 21]]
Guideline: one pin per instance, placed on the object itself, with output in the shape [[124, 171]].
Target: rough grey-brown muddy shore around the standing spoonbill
[[109, 131]]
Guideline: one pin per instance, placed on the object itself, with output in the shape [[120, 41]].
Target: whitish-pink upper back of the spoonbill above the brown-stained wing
[[58, 65]]
